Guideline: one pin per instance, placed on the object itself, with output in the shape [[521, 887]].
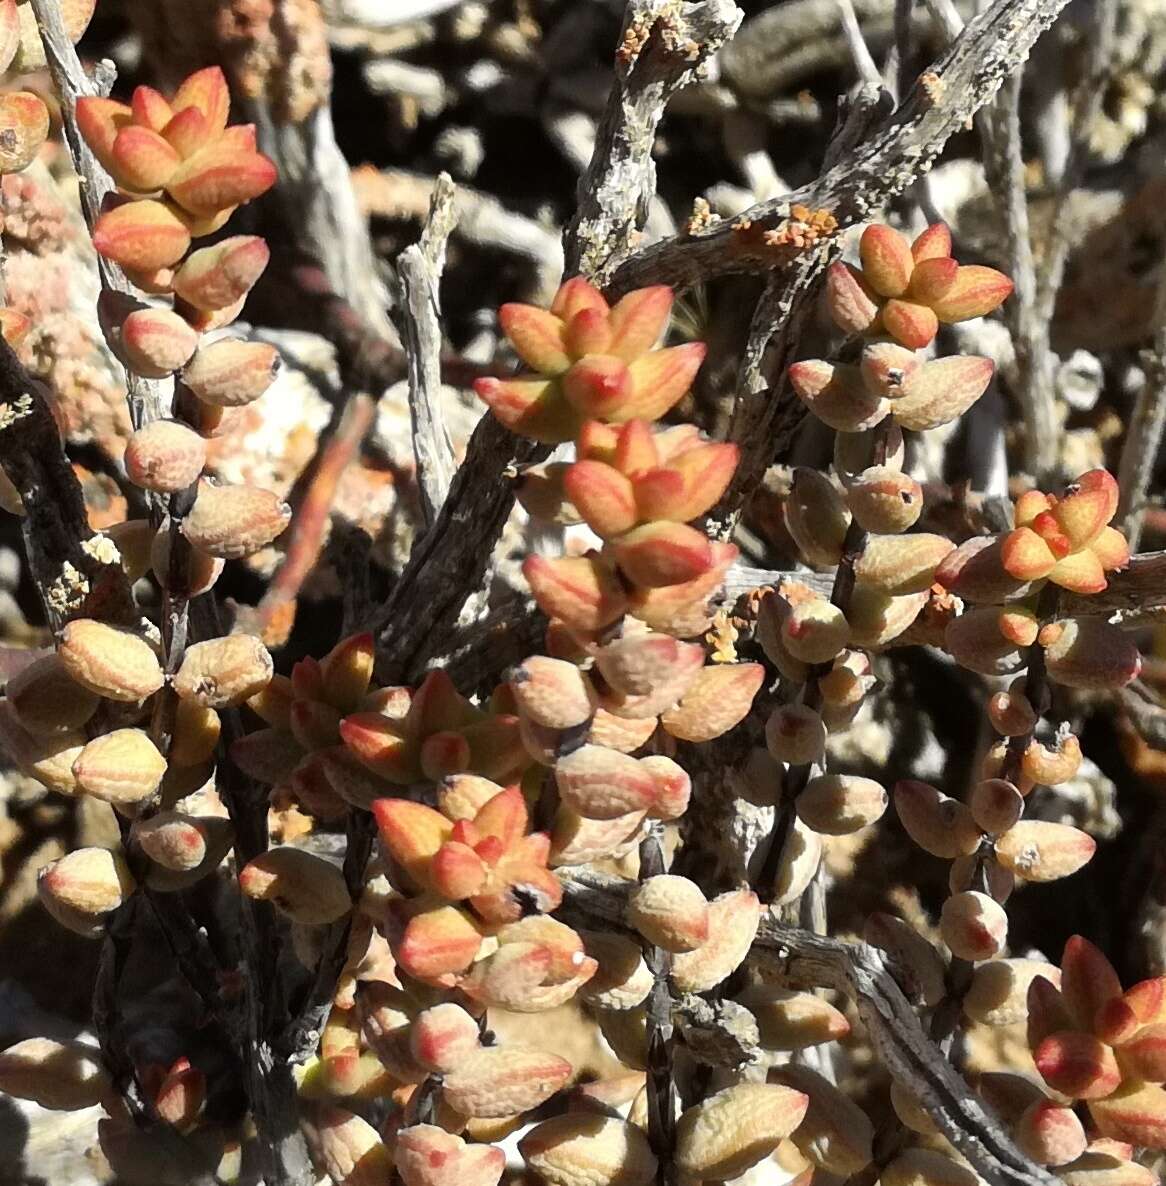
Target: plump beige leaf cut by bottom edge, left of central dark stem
[[582, 1150]]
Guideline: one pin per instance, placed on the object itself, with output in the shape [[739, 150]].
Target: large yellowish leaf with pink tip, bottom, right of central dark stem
[[736, 1128]]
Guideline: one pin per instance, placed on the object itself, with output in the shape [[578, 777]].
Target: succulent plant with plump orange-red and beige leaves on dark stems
[[520, 847]]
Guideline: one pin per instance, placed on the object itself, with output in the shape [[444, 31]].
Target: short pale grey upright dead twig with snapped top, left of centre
[[419, 270]]
